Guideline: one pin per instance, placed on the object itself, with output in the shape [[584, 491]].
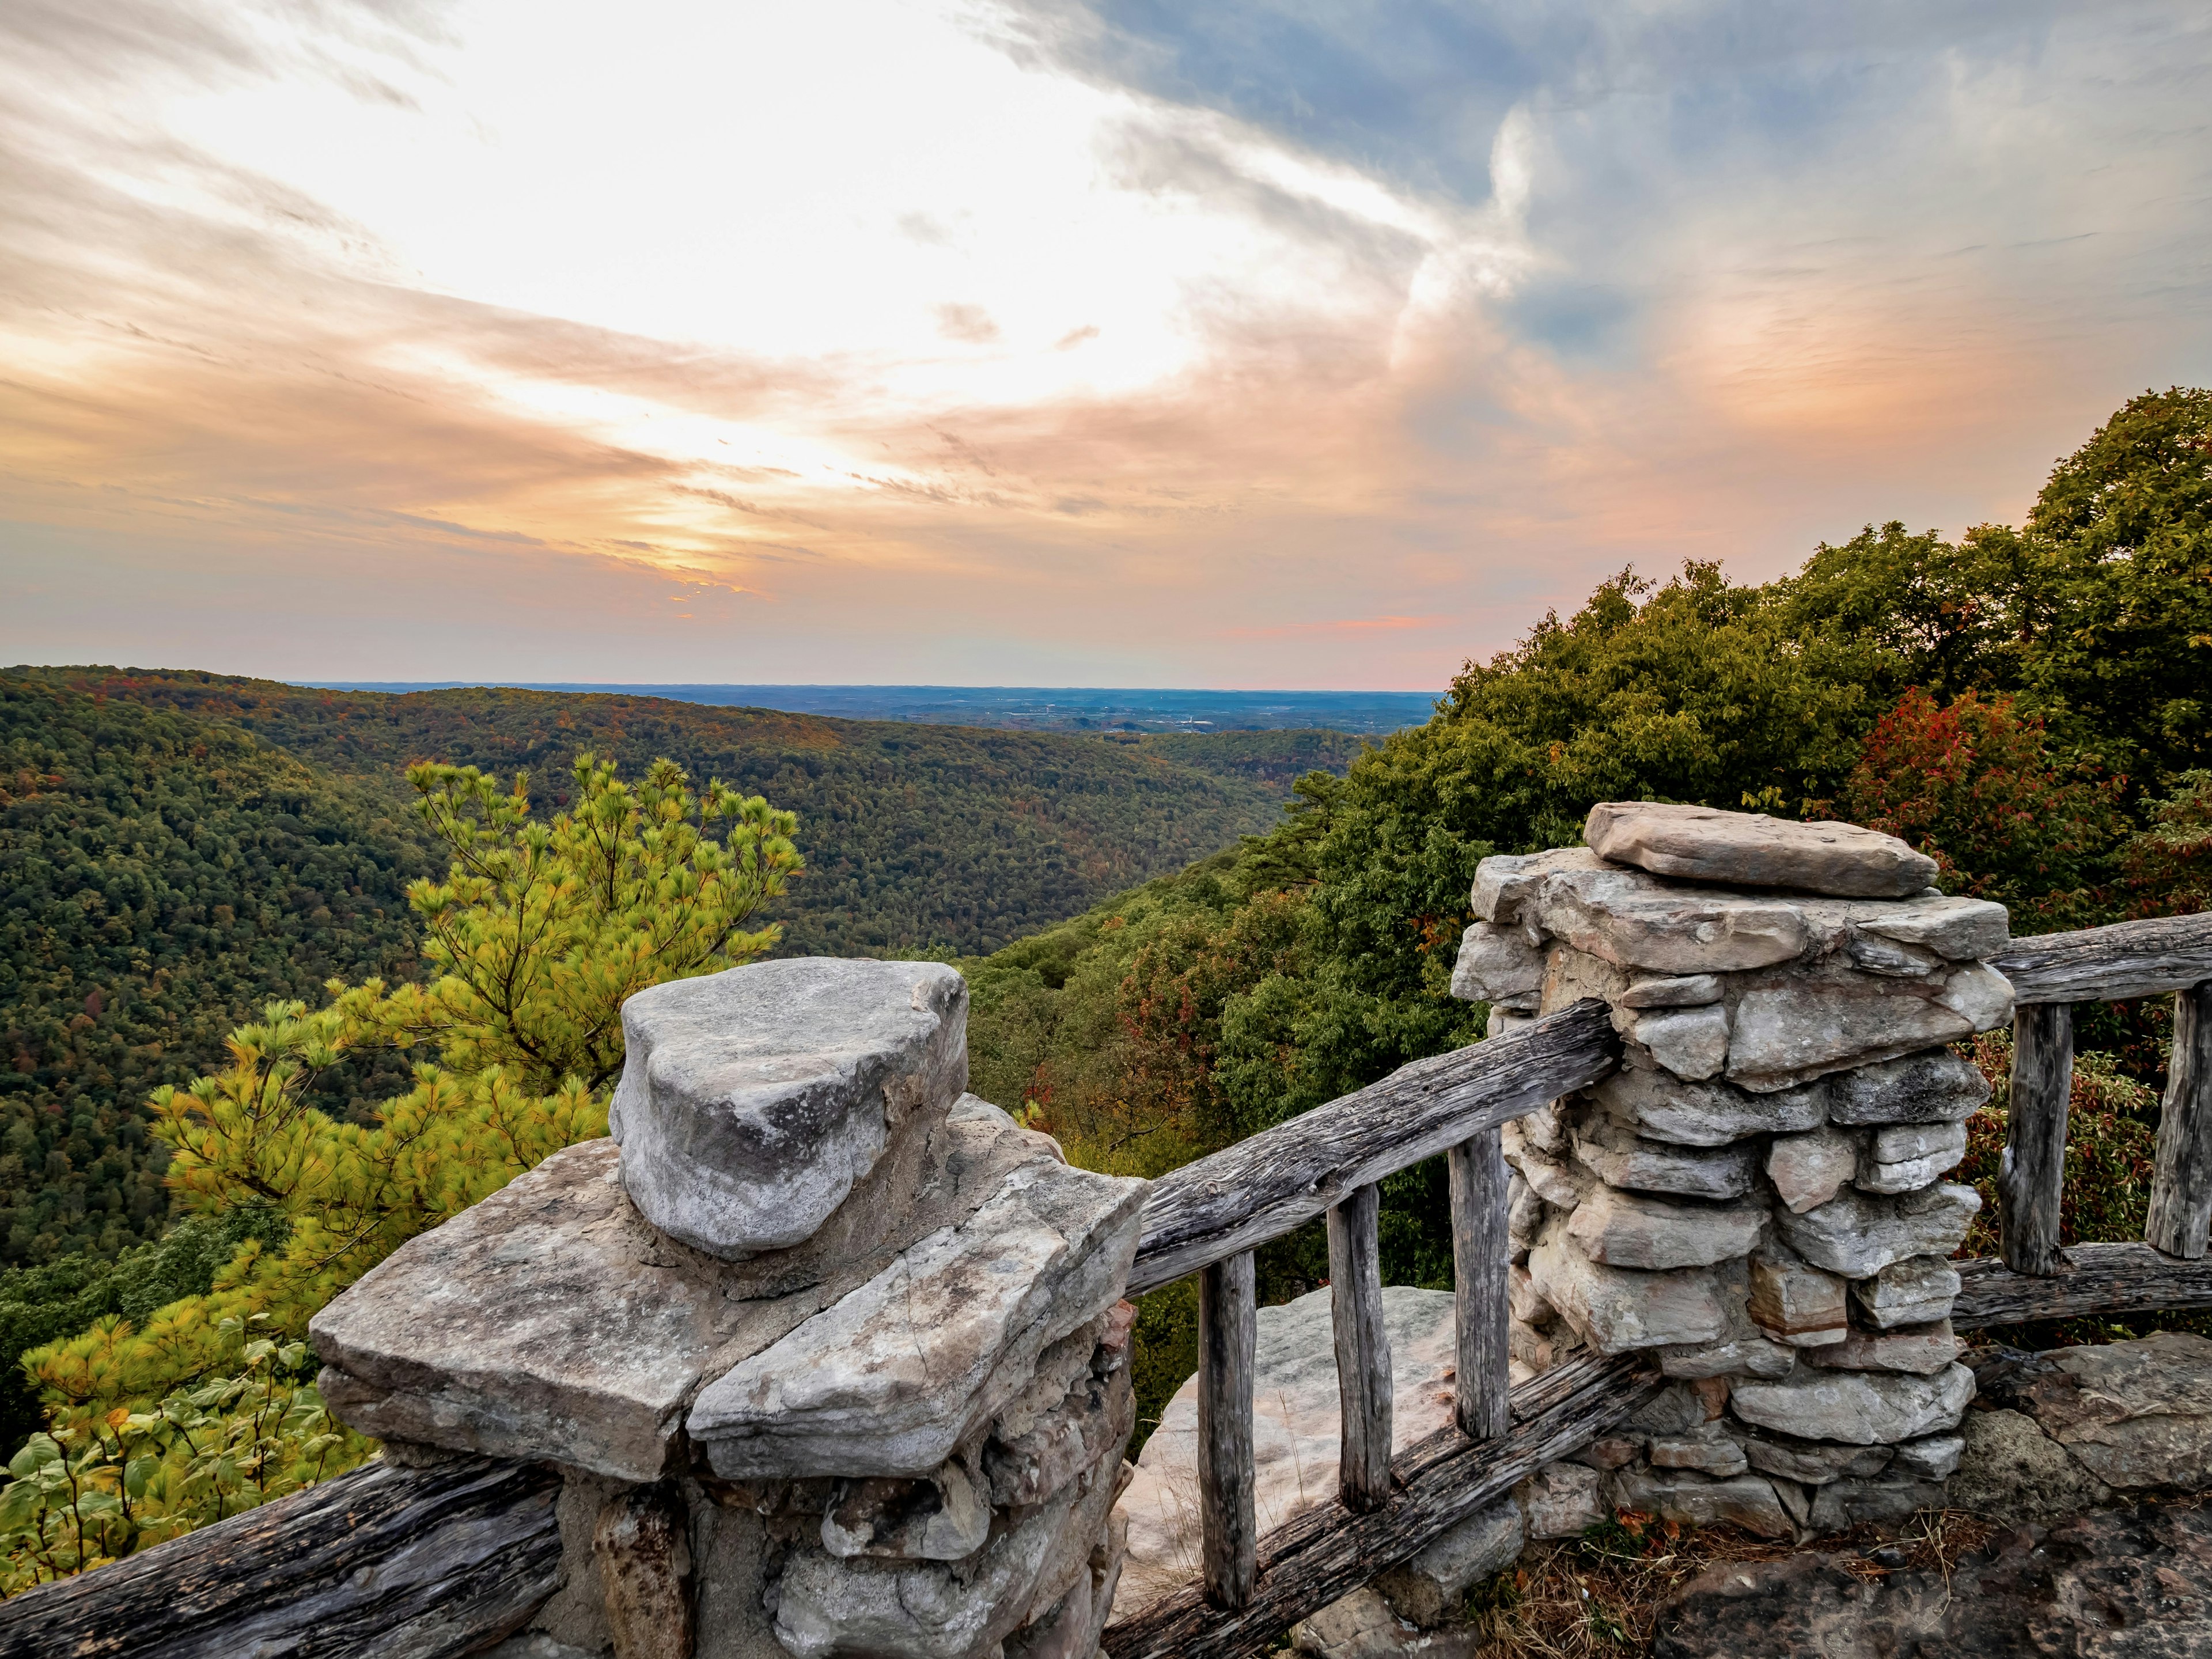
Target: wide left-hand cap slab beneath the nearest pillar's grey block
[[554, 1322]]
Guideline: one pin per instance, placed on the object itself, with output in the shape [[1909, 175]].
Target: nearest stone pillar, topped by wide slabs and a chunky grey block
[[831, 1353]]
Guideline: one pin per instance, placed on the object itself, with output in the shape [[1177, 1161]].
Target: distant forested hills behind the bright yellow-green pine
[[180, 848]]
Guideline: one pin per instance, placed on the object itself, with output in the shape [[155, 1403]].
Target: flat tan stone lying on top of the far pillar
[[1755, 851]]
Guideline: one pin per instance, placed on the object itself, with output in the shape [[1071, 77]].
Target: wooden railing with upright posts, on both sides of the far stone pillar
[[1209, 1215]]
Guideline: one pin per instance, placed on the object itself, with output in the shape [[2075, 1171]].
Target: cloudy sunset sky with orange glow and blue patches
[[1047, 344]]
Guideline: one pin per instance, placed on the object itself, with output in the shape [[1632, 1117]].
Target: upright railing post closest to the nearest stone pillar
[[1229, 1525]]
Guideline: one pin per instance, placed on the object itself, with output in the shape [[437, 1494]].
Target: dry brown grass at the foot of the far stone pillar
[[1600, 1596]]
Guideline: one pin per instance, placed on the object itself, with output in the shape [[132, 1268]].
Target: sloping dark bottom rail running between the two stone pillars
[[1328, 1552]]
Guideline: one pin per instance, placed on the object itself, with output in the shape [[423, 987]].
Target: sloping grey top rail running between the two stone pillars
[[1291, 1173]]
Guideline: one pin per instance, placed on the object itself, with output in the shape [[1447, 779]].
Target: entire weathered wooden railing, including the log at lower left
[[437, 1563]]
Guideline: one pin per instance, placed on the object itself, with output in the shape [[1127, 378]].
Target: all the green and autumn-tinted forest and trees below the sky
[[2027, 705]]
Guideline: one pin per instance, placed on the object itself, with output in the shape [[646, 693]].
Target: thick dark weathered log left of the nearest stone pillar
[[388, 1563]]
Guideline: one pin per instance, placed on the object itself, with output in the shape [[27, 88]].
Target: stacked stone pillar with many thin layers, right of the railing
[[1757, 1196]]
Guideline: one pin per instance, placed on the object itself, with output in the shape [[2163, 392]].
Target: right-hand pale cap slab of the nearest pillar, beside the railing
[[910, 1364]]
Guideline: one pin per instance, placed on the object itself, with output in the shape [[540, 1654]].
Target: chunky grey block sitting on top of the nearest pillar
[[753, 1100]]
